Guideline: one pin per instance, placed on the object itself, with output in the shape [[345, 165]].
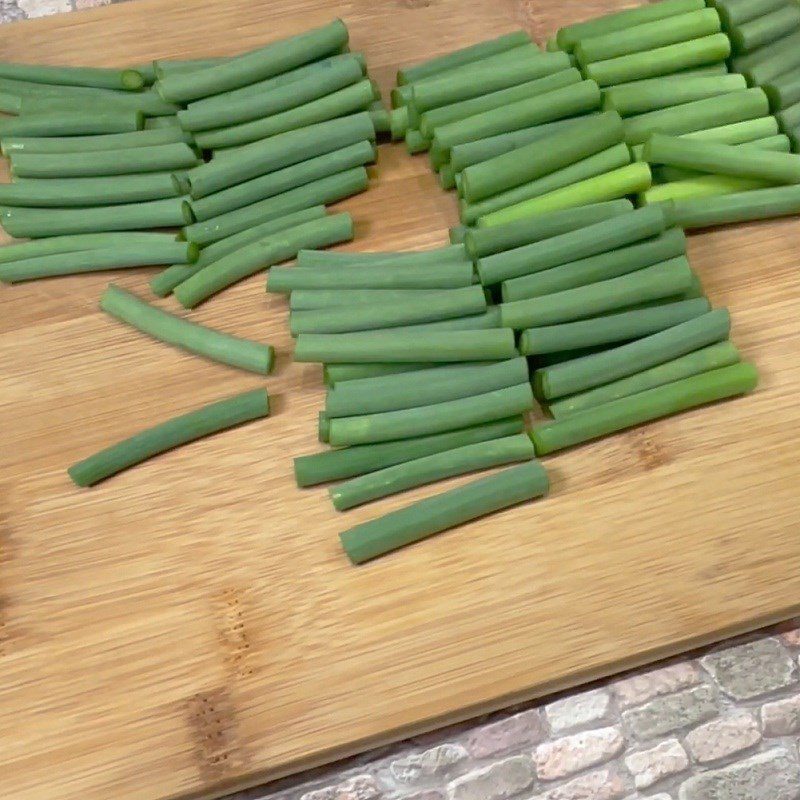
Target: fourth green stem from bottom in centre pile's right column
[[610, 328]]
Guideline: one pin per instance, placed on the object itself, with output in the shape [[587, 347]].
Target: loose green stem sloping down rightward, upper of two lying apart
[[168, 328]]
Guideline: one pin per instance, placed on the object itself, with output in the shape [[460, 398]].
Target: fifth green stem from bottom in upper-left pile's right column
[[283, 180]]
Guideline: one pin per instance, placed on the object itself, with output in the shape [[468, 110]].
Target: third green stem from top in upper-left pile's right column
[[356, 97]]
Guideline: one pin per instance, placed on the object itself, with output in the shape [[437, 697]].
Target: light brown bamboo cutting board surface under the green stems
[[192, 625]]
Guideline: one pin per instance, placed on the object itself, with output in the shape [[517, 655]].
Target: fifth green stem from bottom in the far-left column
[[136, 160]]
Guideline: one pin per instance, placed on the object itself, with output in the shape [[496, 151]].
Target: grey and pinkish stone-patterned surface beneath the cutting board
[[723, 724]]
